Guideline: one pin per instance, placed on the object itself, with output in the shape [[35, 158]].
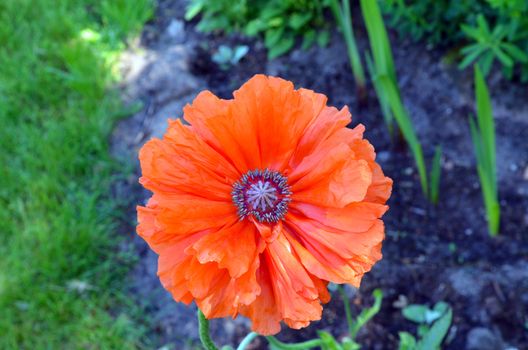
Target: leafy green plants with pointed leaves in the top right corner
[[491, 29]]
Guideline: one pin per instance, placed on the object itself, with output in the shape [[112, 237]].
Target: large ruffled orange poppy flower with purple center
[[260, 201]]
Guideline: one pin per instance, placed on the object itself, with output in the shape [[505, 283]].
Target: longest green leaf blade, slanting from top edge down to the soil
[[383, 74]]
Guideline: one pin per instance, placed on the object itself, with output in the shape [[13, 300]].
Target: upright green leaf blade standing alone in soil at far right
[[483, 136]]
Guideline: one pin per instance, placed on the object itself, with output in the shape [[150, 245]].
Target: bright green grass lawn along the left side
[[60, 273]]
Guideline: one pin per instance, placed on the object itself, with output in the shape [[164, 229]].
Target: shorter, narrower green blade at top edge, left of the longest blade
[[343, 18]]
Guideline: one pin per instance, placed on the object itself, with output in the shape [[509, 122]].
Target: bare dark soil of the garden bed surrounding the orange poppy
[[431, 253]]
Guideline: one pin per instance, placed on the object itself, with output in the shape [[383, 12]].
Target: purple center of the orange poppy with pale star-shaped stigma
[[265, 194]]
